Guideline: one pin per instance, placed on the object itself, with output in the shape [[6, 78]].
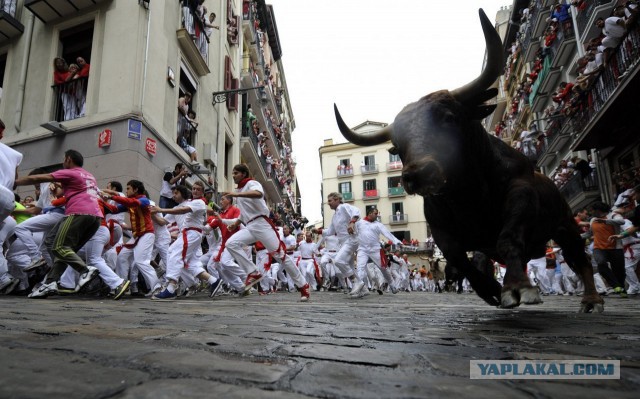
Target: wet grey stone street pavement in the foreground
[[409, 345]]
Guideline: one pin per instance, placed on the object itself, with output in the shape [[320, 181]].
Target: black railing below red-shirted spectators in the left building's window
[[69, 99]]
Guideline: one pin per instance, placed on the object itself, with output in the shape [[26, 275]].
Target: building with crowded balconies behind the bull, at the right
[[558, 109]]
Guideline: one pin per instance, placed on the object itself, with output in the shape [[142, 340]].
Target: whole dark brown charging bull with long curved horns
[[479, 193]]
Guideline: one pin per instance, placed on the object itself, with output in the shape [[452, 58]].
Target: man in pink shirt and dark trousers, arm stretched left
[[81, 221]]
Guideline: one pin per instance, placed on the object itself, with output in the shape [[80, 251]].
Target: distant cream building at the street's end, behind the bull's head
[[369, 177]]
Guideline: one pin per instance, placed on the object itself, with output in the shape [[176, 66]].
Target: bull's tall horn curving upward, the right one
[[495, 62]]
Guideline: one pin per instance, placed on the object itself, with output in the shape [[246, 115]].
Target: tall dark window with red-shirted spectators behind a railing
[[75, 57]]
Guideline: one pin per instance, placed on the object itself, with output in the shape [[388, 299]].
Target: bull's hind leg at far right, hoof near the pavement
[[573, 251]]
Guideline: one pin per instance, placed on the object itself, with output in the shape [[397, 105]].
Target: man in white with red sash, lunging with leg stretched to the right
[[254, 212]]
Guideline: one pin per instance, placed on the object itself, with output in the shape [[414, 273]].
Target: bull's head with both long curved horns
[[427, 134]]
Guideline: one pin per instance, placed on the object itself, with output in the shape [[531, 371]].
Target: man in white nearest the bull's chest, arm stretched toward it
[[369, 231]]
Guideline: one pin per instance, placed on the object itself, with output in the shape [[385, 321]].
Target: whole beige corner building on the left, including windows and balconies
[[122, 114]]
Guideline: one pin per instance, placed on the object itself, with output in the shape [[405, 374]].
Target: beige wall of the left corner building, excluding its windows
[[132, 51]]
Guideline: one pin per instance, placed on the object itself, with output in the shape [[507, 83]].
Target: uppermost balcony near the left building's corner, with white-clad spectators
[[194, 43]]
